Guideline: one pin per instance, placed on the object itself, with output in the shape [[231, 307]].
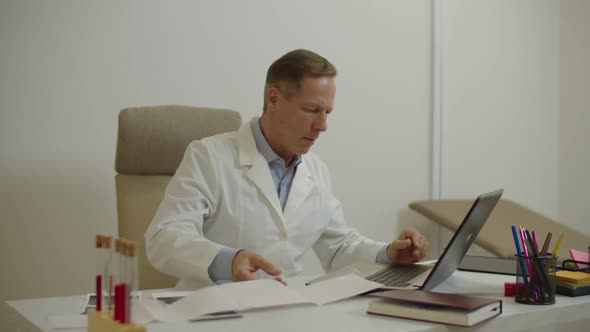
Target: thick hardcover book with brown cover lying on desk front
[[453, 309]]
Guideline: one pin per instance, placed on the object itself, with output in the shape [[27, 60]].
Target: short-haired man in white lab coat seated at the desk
[[251, 203]]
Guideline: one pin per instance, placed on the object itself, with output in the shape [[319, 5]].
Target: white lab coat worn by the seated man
[[223, 195]]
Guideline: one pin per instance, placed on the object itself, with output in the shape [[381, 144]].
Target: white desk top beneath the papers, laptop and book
[[567, 315]]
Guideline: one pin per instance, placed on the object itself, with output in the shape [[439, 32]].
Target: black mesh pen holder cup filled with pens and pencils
[[535, 279]]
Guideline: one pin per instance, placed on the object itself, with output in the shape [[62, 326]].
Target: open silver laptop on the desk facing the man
[[428, 276]]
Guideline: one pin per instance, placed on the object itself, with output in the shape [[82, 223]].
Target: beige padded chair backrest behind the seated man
[[150, 145]]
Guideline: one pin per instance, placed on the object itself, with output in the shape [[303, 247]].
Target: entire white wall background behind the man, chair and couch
[[516, 108]]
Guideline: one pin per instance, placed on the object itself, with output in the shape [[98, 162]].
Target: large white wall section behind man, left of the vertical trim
[[68, 67]]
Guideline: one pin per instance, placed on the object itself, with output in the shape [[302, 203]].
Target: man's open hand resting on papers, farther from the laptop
[[246, 263]]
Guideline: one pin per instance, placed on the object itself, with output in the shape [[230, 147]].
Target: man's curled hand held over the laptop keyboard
[[409, 247]]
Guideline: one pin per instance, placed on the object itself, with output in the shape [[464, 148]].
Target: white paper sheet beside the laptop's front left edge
[[337, 289]]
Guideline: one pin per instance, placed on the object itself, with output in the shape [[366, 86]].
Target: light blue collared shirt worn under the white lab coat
[[220, 268]]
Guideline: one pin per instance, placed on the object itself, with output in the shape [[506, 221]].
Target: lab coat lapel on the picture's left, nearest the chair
[[259, 172]]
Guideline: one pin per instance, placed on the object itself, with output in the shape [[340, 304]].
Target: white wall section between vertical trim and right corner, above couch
[[503, 100]]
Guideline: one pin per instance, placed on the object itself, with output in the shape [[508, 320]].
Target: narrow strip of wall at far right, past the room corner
[[574, 120]]
